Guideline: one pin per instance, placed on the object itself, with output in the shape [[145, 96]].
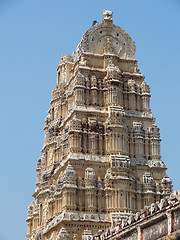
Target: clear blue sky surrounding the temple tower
[[33, 36]]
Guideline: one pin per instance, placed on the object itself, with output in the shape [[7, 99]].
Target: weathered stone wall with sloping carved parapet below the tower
[[161, 223]]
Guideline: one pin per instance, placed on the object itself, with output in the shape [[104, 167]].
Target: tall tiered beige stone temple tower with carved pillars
[[101, 155]]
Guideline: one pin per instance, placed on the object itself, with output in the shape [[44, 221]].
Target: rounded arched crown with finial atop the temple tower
[[99, 37]]
